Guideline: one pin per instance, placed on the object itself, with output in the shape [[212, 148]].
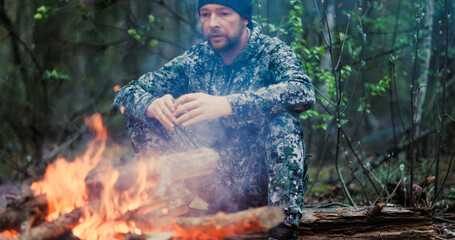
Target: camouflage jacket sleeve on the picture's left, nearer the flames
[[138, 94]]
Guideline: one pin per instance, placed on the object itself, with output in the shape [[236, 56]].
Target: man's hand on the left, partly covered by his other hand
[[162, 109]]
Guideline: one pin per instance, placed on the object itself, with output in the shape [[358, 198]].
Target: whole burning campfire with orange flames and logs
[[92, 199]]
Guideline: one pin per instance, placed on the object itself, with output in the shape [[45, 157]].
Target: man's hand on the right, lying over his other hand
[[196, 107]]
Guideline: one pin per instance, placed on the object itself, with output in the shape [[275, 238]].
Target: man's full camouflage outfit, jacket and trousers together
[[263, 159]]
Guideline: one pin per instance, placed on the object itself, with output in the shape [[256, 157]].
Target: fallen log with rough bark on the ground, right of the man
[[366, 223]]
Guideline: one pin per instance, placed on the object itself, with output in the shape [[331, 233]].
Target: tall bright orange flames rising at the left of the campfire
[[64, 185]]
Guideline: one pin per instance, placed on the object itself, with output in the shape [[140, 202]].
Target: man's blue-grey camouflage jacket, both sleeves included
[[266, 78]]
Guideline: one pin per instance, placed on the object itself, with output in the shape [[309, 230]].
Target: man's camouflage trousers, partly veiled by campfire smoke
[[262, 162]]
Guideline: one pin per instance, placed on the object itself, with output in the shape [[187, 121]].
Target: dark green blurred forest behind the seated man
[[383, 70]]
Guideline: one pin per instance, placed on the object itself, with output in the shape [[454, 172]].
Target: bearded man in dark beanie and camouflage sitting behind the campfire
[[240, 92]]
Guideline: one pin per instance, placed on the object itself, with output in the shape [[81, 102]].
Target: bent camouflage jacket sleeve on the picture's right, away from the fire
[[291, 91]]
